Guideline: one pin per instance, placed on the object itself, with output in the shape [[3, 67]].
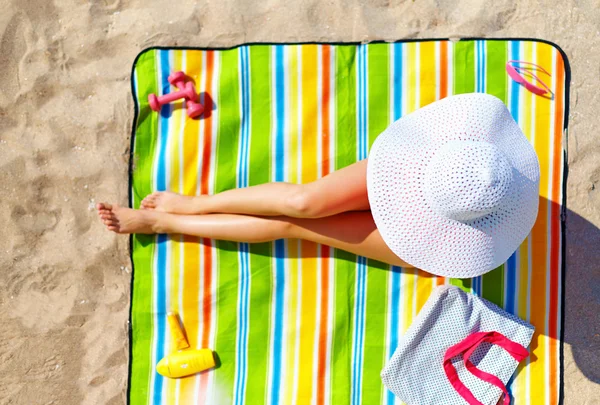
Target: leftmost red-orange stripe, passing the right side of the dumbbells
[[206, 243]]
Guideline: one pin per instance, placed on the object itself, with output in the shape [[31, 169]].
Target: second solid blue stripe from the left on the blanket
[[279, 287]]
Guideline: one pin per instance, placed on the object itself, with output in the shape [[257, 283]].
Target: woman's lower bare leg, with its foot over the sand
[[354, 232]]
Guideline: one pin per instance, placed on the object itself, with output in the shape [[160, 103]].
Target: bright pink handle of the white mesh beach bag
[[467, 347]]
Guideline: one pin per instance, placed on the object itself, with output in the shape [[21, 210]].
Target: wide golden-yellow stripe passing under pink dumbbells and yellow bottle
[[191, 250]]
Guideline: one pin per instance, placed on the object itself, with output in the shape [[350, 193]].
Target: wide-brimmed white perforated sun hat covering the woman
[[453, 186]]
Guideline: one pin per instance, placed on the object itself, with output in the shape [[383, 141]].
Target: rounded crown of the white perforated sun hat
[[466, 180]]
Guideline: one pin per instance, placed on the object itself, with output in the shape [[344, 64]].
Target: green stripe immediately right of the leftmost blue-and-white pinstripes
[[261, 254]]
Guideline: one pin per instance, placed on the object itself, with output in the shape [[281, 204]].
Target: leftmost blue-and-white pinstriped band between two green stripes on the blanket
[[243, 255]]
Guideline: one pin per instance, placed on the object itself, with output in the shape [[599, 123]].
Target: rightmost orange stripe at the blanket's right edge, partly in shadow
[[555, 225]]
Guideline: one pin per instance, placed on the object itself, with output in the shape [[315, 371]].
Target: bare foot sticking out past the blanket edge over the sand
[[125, 220]]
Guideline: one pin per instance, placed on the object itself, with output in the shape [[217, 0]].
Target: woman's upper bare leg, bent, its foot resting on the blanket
[[341, 191]]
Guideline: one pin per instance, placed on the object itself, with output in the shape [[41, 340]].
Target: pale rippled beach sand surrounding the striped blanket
[[65, 119]]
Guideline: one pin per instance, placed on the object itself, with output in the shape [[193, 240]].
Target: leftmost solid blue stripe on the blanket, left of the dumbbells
[[161, 262]]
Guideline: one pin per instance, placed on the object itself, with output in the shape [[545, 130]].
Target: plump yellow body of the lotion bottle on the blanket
[[185, 362]]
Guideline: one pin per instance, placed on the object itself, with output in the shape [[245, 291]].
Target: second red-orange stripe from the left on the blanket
[[325, 250]]
